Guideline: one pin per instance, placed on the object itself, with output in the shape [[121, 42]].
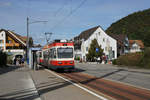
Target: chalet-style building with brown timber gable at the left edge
[[12, 42]]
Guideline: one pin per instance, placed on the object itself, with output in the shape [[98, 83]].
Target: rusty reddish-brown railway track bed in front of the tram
[[112, 89]]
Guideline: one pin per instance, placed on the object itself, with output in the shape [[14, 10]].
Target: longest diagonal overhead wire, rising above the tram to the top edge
[[73, 11]]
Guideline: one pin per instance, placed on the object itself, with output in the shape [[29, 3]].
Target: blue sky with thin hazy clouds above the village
[[65, 19]]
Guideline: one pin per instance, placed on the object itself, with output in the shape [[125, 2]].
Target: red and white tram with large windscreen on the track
[[57, 55]]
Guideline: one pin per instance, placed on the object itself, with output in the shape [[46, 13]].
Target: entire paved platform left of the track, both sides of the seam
[[21, 83]]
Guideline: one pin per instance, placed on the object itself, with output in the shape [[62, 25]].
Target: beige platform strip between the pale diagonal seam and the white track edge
[[51, 87]]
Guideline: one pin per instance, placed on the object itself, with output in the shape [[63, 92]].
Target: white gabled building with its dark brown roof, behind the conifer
[[108, 44]]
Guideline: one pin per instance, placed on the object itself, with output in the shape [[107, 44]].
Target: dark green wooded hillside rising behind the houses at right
[[136, 26]]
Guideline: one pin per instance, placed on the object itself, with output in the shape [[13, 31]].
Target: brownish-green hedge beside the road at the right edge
[[140, 59]]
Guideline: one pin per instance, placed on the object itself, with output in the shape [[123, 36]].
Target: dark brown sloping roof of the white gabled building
[[86, 34]]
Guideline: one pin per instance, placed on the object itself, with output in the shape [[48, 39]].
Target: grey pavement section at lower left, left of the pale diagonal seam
[[16, 84]]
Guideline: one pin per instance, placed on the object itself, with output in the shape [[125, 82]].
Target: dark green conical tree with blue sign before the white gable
[[92, 53]]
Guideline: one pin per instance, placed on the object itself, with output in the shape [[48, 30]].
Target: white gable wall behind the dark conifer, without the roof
[[103, 39]]
